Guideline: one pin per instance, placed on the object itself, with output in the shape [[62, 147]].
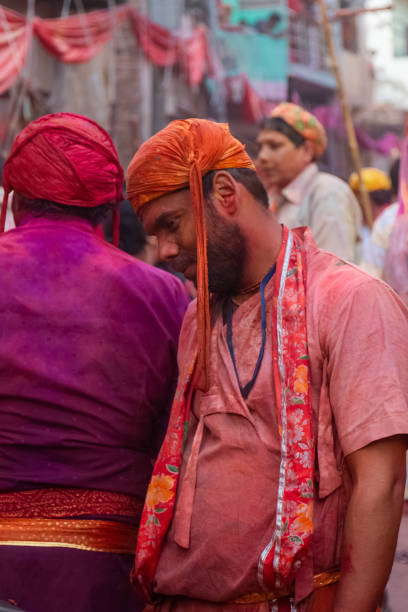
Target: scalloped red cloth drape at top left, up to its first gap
[[79, 38]]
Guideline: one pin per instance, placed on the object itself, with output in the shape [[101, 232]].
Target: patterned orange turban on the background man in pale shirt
[[306, 124]]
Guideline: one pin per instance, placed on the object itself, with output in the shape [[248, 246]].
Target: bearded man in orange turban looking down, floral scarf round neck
[[283, 467]]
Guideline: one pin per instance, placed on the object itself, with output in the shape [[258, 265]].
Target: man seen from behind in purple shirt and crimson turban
[[87, 375]]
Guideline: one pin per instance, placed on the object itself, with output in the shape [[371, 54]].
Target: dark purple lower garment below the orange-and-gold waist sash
[[66, 580]]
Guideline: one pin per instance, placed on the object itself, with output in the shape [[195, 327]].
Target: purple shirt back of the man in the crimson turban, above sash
[[88, 346]]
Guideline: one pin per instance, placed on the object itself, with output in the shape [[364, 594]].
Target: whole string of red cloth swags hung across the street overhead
[[79, 38]]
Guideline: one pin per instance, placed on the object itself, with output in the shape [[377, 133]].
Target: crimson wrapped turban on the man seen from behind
[[64, 158]]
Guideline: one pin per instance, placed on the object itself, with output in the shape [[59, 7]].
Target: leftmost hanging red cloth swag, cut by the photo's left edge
[[14, 38]]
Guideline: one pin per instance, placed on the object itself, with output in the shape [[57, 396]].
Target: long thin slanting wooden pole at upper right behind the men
[[348, 121]]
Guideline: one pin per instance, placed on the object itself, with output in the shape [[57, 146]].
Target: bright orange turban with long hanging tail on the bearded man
[[178, 157]]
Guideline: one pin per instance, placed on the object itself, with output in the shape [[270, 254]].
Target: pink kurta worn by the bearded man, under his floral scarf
[[225, 511]]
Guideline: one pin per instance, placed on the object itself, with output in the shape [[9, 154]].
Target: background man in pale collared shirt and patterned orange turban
[[290, 141]]
